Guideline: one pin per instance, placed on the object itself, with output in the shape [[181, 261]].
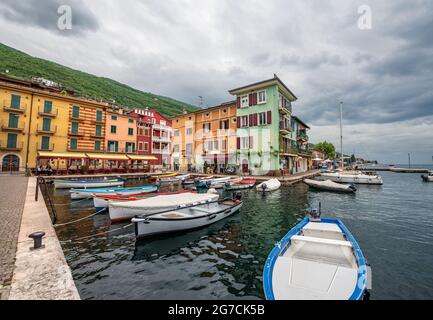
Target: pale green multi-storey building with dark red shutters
[[263, 126]]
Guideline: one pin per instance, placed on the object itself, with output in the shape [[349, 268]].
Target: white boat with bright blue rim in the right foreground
[[318, 259]]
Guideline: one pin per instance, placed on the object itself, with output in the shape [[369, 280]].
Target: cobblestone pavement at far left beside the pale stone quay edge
[[12, 196]]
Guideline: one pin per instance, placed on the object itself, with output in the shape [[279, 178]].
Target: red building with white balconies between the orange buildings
[[154, 133]]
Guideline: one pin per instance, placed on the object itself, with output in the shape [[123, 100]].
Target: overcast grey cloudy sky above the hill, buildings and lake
[[187, 48]]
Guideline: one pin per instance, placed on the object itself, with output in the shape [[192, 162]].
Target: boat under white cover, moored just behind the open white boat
[[126, 210]]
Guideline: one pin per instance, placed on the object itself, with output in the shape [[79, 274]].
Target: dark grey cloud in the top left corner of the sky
[[44, 14]]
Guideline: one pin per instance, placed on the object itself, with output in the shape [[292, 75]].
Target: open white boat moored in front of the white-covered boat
[[182, 218]]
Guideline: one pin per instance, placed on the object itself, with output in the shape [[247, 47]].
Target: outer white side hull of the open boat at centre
[[154, 226]]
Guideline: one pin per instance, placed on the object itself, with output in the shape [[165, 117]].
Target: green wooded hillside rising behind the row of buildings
[[24, 66]]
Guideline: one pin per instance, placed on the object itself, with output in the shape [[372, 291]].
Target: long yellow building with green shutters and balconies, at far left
[[35, 117]]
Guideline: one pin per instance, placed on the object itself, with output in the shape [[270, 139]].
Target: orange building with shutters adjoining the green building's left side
[[205, 139]]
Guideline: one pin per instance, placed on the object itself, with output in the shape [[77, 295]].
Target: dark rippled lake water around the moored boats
[[392, 223]]
